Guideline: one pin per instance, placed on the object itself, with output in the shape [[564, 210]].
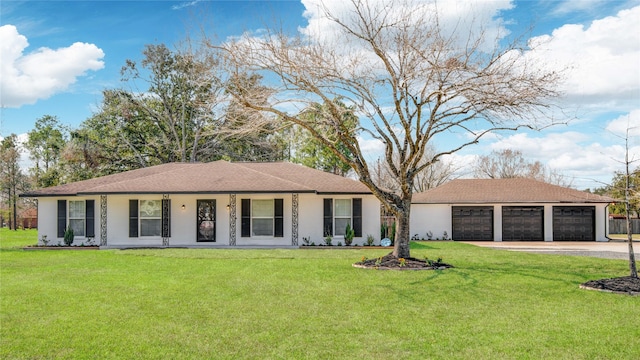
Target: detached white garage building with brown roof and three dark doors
[[516, 209]]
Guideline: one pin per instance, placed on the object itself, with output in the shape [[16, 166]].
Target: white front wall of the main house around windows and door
[[183, 221]]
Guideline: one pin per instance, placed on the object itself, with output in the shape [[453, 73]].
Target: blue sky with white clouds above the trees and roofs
[[76, 49]]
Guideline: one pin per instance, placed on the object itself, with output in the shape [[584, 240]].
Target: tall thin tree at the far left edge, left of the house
[[12, 181]]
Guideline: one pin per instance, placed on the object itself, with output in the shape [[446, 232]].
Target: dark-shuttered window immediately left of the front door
[[149, 218]]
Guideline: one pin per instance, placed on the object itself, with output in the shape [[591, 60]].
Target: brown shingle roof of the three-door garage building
[[518, 190]]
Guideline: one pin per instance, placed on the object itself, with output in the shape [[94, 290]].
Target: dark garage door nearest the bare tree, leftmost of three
[[472, 222]]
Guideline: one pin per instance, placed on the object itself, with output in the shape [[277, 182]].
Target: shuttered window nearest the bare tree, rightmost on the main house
[[340, 212]]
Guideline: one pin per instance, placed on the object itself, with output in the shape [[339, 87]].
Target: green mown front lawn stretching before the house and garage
[[291, 304]]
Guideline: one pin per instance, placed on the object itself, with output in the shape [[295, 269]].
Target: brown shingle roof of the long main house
[[214, 177]]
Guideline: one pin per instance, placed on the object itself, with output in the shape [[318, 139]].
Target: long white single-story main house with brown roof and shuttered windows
[[216, 204]]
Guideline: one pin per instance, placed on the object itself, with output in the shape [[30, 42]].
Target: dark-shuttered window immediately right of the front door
[[262, 218]]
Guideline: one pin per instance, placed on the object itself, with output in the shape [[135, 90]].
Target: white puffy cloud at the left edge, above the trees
[[26, 78]]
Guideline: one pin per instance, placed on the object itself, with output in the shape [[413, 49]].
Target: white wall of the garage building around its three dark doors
[[437, 219]]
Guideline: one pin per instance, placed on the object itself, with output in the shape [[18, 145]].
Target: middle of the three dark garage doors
[[522, 223]]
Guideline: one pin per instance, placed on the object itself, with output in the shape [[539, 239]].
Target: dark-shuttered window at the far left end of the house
[[78, 215]]
